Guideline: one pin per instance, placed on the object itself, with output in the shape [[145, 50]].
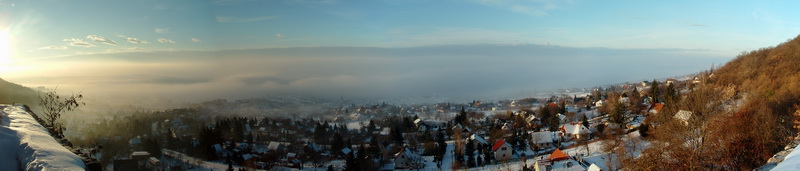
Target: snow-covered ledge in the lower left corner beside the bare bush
[[27, 145]]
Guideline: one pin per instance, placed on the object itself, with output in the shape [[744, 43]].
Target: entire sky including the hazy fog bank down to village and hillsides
[[195, 50]]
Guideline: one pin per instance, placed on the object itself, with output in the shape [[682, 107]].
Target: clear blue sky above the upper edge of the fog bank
[[721, 27]]
